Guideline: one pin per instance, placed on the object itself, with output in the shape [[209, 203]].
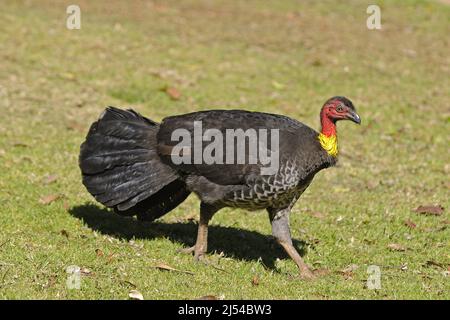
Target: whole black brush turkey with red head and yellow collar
[[127, 163]]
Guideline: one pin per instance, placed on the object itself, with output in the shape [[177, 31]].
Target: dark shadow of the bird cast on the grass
[[233, 242]]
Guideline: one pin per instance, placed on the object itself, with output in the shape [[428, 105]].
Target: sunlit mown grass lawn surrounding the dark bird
[[170, 57]]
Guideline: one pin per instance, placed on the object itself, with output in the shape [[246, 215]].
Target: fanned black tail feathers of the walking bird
[[122, 170]]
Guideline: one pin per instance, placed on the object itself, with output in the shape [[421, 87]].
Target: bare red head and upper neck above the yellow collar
[[337, 108]]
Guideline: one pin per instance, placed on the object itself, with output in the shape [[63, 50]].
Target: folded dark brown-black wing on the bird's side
[[289, 131]]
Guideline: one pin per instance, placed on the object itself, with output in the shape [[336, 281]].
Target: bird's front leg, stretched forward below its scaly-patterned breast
[[280, 230]]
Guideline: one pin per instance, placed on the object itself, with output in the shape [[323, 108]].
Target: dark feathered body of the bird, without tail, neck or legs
[[300, 157]]
